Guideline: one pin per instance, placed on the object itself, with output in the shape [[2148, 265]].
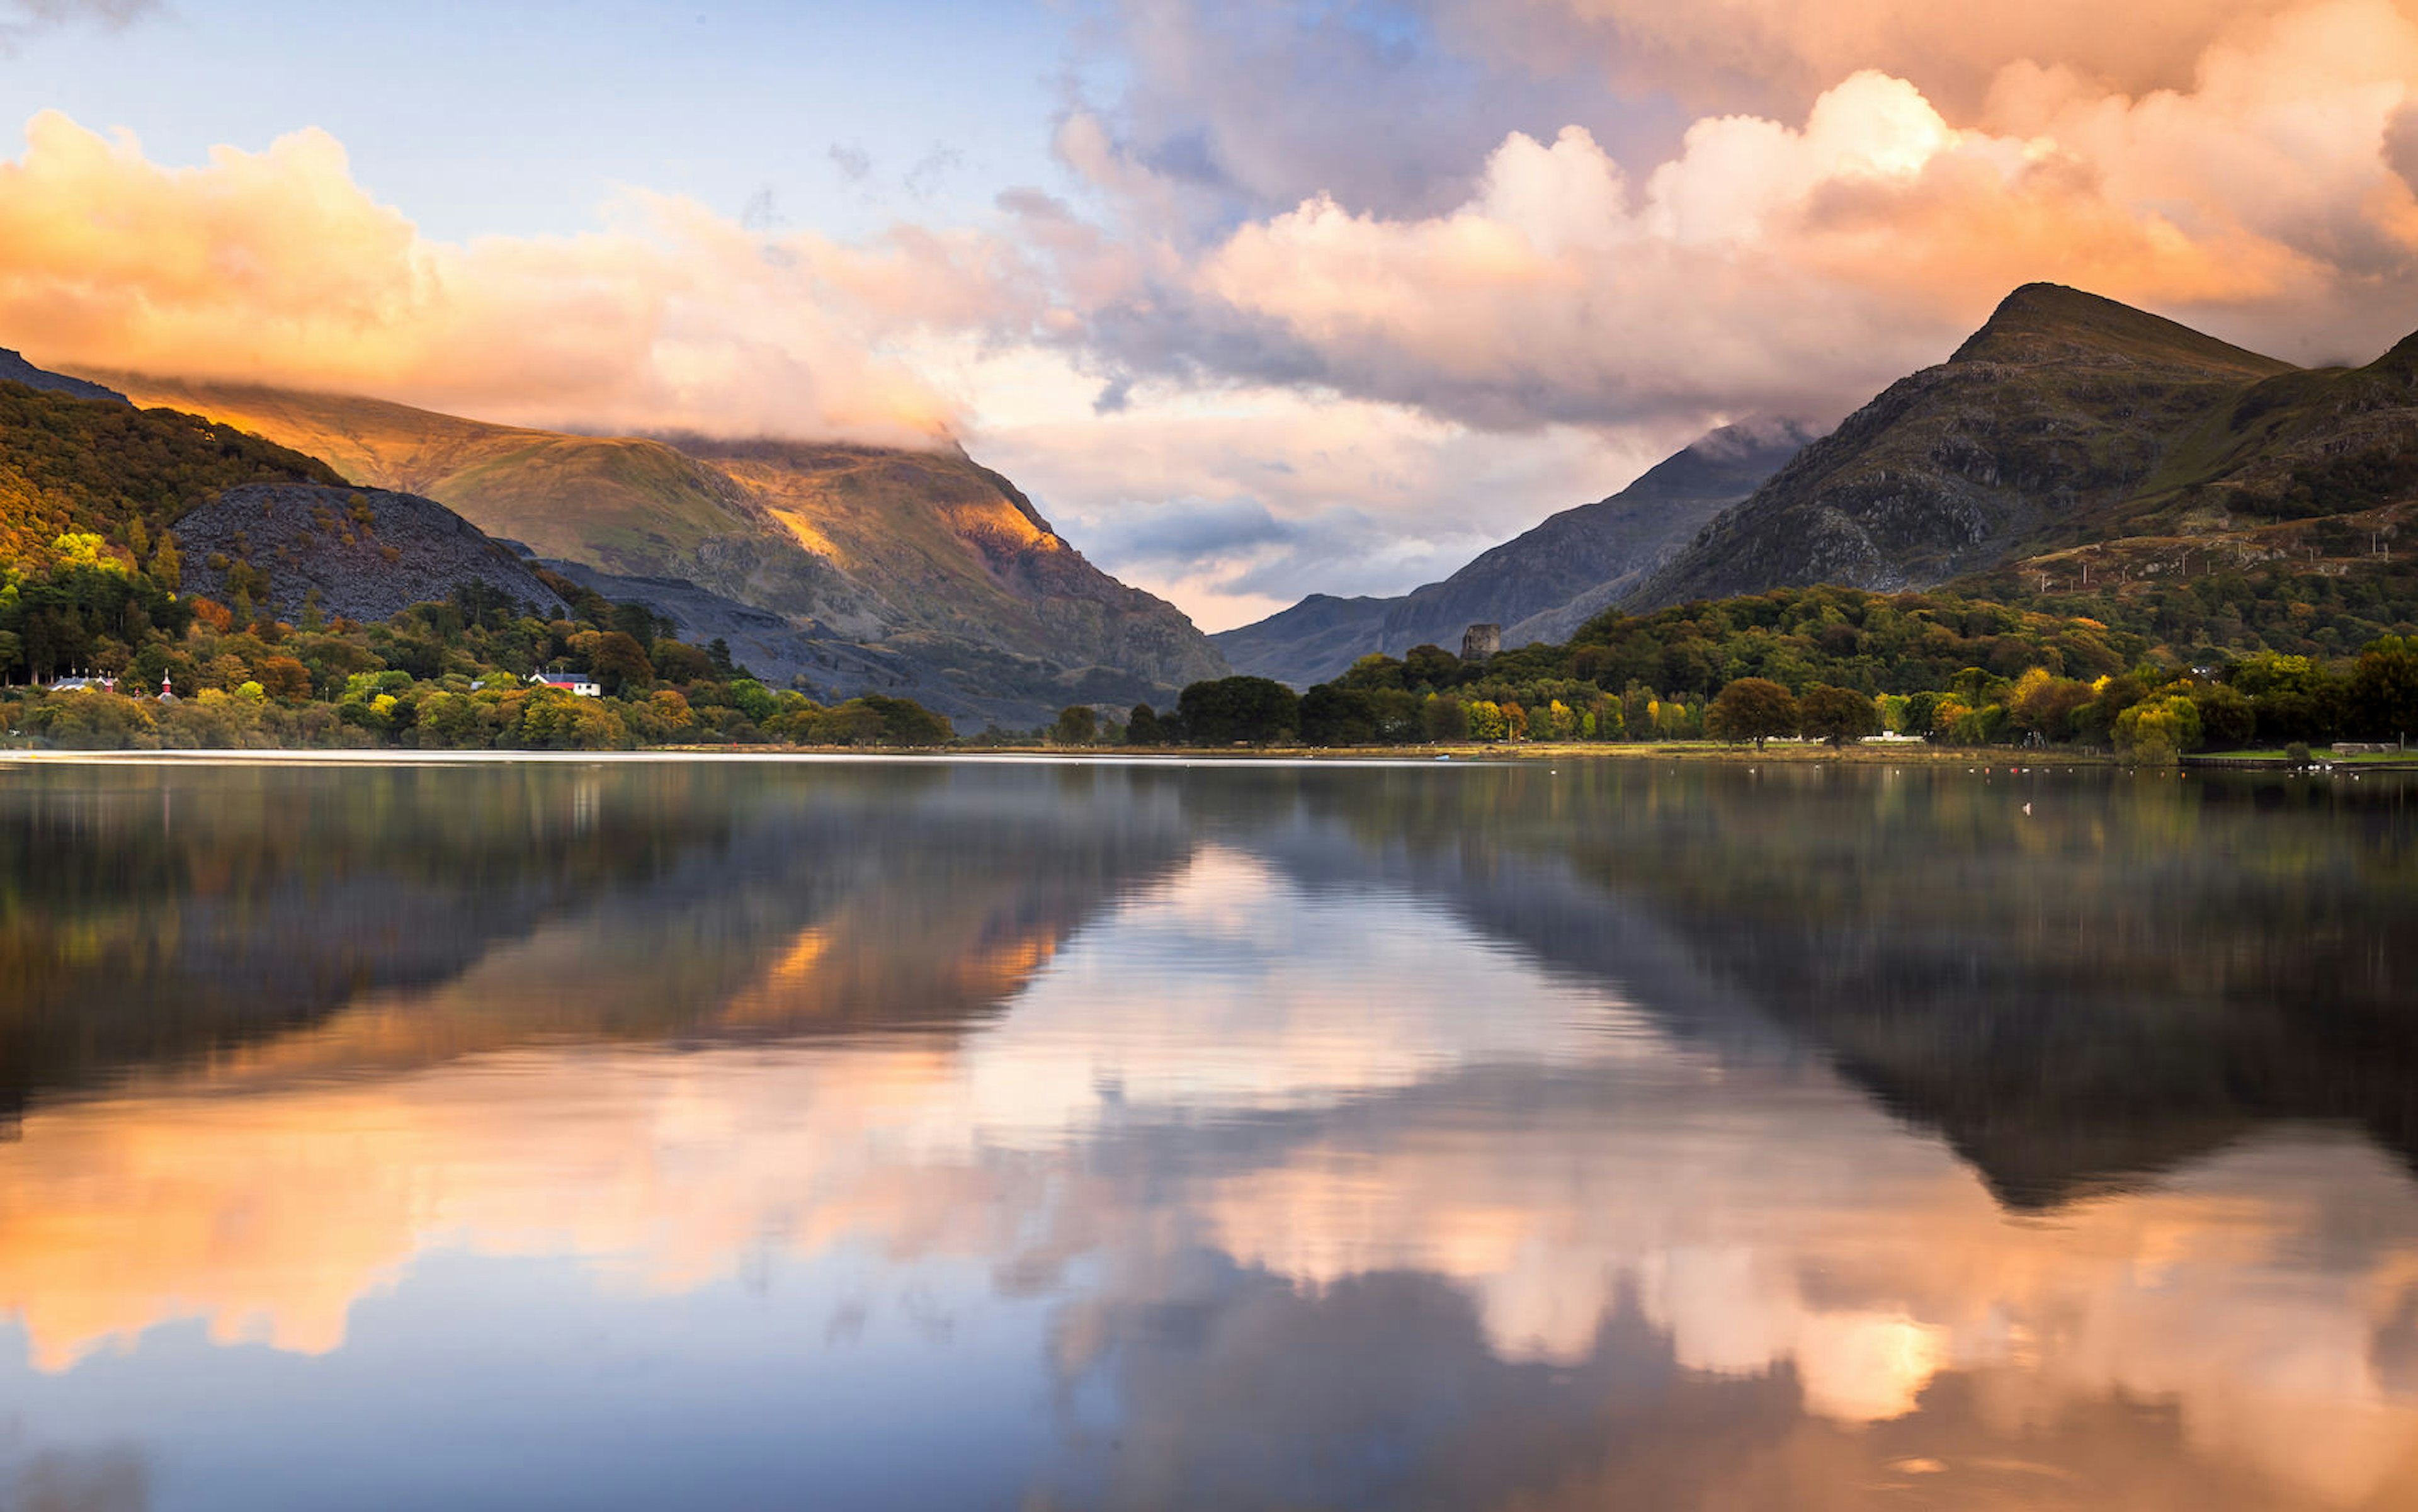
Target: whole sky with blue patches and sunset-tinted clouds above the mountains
[[1254, 296]]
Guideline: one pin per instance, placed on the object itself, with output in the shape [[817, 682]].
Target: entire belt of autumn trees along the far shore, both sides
[[1829, 664]]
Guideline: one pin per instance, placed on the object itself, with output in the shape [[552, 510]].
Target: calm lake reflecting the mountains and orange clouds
[[1041, 1136]]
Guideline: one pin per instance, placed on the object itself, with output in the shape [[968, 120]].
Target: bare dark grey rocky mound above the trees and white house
[[354, 553]]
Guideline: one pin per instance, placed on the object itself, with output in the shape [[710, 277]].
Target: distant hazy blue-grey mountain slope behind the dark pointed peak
[[1541, 584]]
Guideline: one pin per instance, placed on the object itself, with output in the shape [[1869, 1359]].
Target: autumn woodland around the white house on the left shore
[[436, 676]]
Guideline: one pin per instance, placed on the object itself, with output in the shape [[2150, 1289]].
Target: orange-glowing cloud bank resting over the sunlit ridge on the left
[[277, 267]]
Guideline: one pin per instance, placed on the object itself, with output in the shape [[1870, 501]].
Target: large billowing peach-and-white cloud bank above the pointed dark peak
[[1800, 265]]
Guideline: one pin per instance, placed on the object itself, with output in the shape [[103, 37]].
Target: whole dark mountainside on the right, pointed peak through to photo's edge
[[2066, 422]]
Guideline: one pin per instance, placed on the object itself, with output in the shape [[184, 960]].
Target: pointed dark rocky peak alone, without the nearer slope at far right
[[2059, 422]]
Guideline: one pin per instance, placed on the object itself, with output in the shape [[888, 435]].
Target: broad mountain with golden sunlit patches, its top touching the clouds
[[850, 567]]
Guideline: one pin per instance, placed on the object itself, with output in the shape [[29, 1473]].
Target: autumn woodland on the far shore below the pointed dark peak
[[1832, 664]]
